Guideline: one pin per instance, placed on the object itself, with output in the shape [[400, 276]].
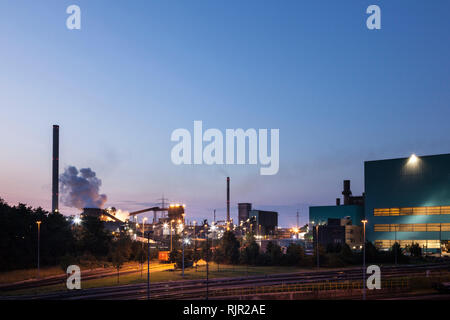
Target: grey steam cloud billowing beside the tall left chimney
[[80, 189]]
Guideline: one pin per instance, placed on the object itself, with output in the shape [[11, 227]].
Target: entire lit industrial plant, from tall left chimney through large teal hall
[[405, 201]]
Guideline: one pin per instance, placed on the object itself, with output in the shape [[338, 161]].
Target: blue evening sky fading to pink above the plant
[[339, 93]]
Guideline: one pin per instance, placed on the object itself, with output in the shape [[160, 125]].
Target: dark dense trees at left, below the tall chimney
[[61, 241]]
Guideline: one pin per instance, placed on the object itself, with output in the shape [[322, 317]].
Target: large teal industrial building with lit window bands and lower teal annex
[[406, 200]]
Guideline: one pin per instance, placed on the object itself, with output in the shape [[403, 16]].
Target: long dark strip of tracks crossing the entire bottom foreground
[[196, 289]]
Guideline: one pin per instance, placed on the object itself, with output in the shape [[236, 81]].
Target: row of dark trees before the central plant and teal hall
[[229, 250]]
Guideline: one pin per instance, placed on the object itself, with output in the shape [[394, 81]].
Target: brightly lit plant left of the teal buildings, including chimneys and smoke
[[168, 219]]
